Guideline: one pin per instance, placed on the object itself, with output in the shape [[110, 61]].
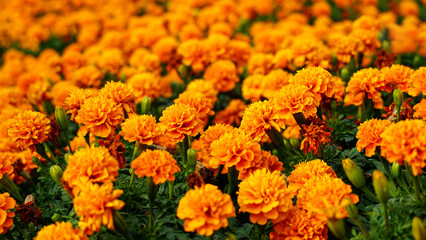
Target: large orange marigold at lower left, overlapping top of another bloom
[[90, 165]]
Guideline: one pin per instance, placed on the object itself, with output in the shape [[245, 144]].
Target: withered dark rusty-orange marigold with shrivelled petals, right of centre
[[315, 132]]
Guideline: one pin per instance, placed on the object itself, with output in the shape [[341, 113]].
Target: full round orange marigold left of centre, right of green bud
[[179, 120]]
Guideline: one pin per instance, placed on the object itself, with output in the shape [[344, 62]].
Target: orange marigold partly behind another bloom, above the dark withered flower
[[318, 80]]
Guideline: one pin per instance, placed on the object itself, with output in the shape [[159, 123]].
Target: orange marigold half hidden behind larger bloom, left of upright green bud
[[122, 94]]
